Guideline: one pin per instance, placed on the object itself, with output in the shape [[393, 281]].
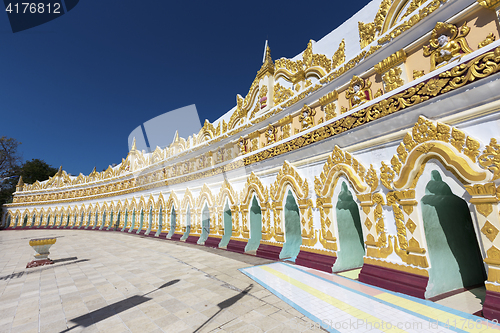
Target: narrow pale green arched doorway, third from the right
[[293, 237]]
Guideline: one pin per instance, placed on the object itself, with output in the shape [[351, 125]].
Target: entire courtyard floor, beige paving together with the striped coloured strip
[[117, 282]]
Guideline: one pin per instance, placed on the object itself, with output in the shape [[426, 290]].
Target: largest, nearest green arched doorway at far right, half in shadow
[[454, 254]]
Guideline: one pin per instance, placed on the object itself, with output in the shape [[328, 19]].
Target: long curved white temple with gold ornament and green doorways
[[375, 148]]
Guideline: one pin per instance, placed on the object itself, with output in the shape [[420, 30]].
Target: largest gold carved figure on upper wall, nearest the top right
[[447, 44]]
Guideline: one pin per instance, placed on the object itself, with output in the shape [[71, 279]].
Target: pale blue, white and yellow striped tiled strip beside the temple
[[339, 304]]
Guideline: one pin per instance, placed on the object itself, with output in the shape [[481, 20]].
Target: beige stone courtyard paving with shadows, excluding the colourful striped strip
[[117, 282]]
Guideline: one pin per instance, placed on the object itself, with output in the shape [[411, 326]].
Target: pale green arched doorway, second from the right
[[351, 245]]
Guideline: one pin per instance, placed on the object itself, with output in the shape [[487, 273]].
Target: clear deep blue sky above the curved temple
[[74, 88]]
